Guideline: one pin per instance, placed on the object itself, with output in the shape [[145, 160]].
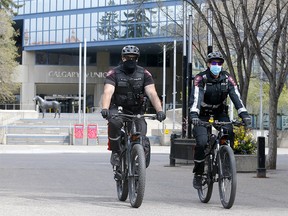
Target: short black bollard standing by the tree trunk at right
[[261, 170]]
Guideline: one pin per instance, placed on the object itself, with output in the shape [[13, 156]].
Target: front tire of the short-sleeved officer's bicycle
[[136, 181]]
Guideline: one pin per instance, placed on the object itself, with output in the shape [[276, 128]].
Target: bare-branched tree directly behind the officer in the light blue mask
[[230, 38]]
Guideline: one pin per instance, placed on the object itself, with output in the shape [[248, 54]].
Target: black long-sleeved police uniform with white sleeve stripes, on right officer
[[209, 97]]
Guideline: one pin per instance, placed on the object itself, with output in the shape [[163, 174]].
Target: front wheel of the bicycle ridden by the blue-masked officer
[[227, 176]]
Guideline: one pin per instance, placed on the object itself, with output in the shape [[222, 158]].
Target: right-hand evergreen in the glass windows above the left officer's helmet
[[137, 22]]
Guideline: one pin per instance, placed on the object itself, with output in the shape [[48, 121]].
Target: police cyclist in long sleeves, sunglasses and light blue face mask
[[208, 97]]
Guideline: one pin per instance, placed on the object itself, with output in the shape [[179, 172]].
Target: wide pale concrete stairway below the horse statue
[[49, 130]]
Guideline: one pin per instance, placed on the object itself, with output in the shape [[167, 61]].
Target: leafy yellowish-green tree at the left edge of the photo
[[8, 55]]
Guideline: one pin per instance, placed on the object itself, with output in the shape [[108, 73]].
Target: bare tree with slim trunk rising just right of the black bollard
[[270, 42]]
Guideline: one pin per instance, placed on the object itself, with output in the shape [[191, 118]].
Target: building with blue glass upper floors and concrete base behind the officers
[[51, 32]]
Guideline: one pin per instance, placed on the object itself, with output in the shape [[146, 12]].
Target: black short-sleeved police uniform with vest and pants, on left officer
[[130, 94]]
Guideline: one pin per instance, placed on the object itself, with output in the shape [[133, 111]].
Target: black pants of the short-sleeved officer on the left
[[116, 123]]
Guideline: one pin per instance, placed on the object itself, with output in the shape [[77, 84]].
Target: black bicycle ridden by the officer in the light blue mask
[[220, 165]]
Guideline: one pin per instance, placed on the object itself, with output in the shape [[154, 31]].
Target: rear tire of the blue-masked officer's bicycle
[[205, 192]]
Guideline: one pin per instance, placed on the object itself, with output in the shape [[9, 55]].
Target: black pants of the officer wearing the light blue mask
[[200, 134]]
